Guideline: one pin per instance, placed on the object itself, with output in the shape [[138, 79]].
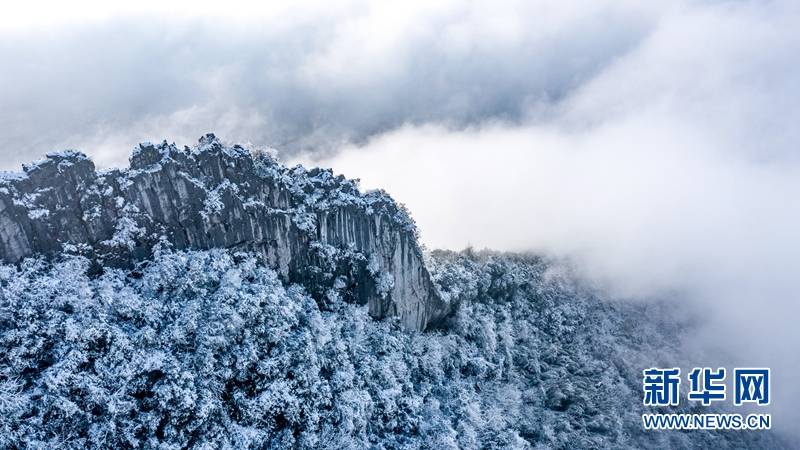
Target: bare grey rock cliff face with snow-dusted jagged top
[[313, 228]]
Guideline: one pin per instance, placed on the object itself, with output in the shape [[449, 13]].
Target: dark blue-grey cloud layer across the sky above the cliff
[[299, 80]]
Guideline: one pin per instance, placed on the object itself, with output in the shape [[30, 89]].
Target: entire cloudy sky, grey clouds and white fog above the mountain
[[652, 143]]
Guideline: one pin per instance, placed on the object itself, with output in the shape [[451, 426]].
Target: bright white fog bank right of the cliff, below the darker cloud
[[672, 172]]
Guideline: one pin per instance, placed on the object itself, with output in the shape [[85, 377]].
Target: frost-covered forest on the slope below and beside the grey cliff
[[209, 349]]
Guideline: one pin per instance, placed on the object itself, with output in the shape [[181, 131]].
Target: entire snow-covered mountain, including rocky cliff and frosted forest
[[210, 298]]
